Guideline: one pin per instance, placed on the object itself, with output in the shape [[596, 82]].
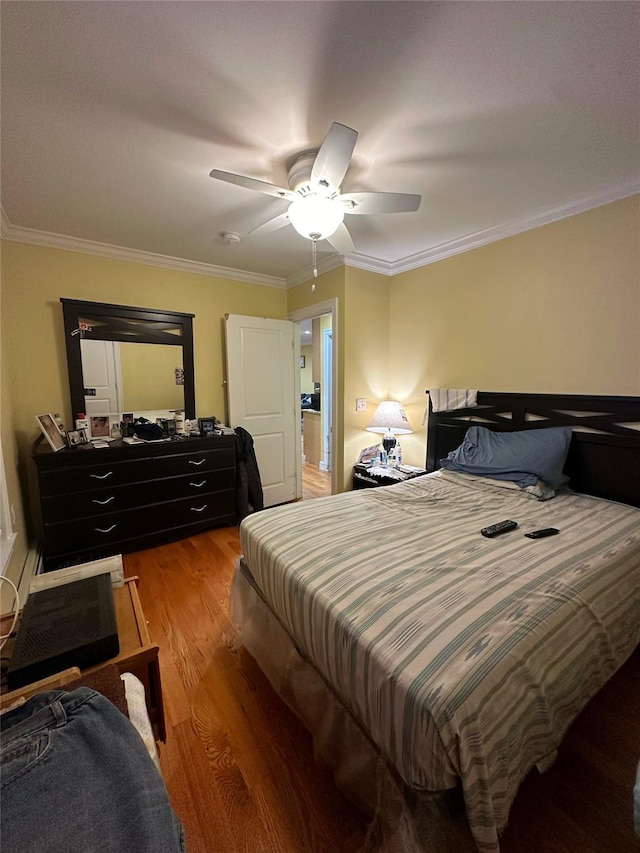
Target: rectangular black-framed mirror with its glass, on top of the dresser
[[124, 359]]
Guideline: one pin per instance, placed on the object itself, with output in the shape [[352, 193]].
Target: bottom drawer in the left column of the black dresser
[[83, 534]]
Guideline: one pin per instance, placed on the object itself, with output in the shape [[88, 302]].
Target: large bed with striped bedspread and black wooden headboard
[[429, 661]]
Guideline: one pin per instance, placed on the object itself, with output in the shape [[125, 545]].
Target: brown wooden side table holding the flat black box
[[137, 655]]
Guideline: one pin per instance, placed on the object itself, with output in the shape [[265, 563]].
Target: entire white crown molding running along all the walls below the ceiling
[[355, 259]]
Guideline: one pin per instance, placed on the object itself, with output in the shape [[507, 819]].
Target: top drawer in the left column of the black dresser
[[79, 479]]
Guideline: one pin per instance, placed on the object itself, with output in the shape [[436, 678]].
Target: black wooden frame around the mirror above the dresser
[[73, 309]]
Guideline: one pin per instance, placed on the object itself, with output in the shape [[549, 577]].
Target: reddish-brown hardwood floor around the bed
[[239, 766]]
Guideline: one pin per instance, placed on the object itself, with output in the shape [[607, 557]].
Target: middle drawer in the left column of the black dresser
[[98, 502]]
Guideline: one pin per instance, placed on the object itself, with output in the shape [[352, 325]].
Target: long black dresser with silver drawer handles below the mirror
[[98, 502]]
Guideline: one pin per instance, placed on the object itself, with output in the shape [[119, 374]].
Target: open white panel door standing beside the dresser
[[263, 388]]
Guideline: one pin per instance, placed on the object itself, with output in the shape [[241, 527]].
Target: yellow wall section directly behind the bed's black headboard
[[555, 309]]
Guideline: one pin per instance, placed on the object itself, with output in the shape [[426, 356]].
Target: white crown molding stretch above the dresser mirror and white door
[[107, 250]]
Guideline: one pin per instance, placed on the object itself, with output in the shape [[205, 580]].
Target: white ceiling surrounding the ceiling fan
[[502, 115]]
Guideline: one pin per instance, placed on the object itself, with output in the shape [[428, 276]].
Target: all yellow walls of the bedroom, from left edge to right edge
[[555, 309]]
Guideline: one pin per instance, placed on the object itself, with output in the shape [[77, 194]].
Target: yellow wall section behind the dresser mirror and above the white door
[[34, 367]]
